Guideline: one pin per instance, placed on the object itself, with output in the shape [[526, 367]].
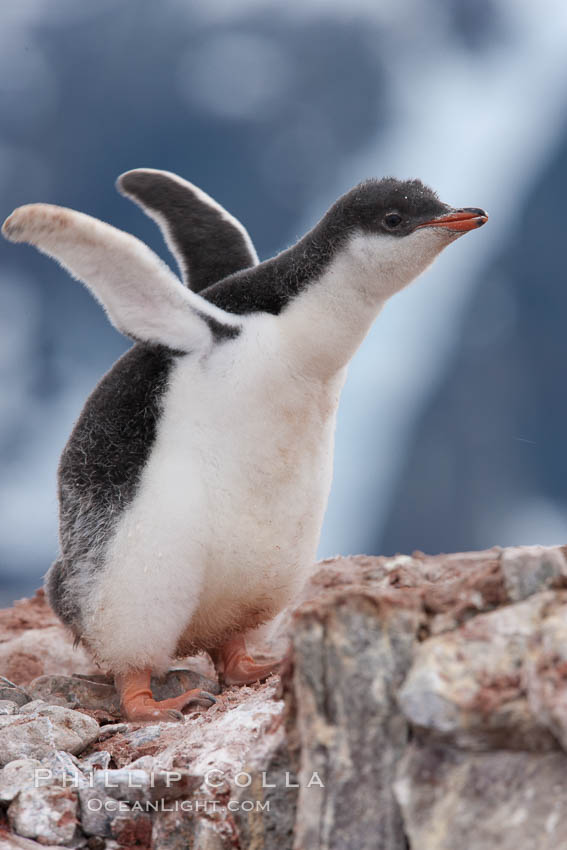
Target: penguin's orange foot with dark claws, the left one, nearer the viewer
[[138, 704]]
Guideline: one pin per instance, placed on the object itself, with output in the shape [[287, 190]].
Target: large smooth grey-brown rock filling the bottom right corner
[[508, 800]]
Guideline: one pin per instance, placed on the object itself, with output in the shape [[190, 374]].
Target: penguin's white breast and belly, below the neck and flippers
[[227, 517]]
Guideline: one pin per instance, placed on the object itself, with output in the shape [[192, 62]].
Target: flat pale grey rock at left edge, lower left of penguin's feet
[[49, 728]]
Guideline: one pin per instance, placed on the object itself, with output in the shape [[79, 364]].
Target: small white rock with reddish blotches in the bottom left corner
[[48, 813]]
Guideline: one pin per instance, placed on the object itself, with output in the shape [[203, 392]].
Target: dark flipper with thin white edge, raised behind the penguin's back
[[208, 243]]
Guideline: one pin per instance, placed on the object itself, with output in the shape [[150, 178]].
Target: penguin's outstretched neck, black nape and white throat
[[326, 292]]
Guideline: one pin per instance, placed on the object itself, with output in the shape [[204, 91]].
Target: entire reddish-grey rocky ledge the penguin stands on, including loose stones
[[422, 705]]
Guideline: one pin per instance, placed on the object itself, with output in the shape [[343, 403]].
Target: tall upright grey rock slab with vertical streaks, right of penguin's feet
[[351, 652]]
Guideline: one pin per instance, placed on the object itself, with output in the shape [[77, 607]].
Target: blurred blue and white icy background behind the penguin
[[451, 432]]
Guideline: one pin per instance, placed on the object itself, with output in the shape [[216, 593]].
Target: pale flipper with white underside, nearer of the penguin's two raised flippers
[[141, 295]]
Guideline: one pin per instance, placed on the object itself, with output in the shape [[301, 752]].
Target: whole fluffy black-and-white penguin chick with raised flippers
[[194, 484]]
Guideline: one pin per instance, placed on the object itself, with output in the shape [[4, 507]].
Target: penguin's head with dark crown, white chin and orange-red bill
[[393, 229]]
